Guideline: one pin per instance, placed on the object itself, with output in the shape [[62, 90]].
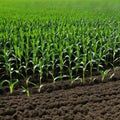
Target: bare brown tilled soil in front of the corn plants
[[95, 100]]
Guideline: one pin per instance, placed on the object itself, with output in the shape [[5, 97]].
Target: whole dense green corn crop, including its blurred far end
[[46, 43]]
